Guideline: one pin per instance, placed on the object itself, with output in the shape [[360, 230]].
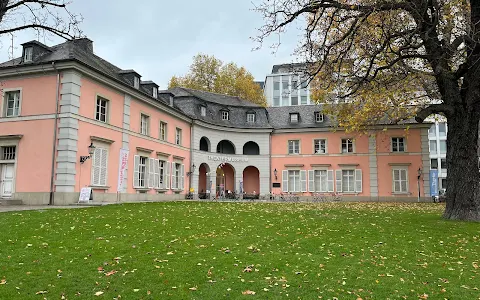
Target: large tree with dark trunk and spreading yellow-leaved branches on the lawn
[[381, 57]]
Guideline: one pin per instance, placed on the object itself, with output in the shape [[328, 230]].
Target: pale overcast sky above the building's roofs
[[158, 38]]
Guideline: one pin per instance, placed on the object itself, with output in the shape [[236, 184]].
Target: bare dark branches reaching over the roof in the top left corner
[[43, 16]]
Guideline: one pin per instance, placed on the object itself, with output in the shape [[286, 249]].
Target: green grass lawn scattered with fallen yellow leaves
[[191, 250]]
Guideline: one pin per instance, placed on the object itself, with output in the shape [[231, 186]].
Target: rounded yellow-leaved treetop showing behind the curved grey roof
[[210, 74]]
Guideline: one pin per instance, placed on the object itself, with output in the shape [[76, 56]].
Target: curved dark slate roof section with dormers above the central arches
[[190, 102]]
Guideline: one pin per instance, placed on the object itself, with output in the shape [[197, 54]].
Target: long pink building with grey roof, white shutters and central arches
[[157, 145]]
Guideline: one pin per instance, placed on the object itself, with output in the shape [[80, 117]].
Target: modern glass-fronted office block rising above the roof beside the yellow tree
[[286, 86]]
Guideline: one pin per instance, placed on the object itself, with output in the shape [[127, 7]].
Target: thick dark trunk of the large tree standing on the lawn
[[463, 181]]
